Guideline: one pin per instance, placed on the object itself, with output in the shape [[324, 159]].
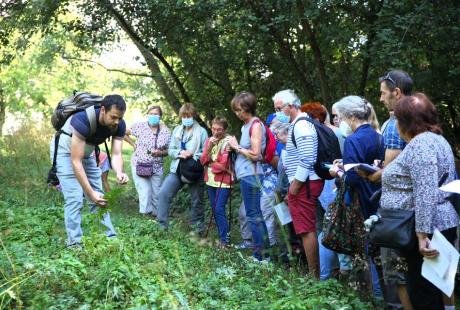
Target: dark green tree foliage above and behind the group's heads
[[204, 51]]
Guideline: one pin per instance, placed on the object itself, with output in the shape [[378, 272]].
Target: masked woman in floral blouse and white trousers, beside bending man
[[152, 140]]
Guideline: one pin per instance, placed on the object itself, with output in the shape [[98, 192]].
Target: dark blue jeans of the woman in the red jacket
[[219, 210]]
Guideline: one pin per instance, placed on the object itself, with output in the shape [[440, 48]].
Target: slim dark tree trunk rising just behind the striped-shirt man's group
[[310, 34]]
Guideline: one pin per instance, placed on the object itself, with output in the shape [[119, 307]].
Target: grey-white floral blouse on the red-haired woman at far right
[[410, 182]]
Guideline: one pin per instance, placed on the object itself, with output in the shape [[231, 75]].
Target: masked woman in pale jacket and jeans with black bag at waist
[[185, 149]]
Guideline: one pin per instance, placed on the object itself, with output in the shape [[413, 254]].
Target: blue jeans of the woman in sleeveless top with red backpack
[[250, 190]]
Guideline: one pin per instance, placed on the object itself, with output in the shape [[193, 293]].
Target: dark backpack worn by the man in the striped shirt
[[328, 147]]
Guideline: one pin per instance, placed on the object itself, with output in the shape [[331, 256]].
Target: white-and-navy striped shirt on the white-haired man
[[299, 161]]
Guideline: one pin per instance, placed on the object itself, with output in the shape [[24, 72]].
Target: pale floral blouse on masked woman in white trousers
[[146, 141]]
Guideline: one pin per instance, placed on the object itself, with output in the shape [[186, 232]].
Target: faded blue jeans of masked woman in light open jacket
[[171, 185]]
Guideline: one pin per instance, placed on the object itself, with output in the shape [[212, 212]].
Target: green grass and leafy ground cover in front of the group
[[143, 268]]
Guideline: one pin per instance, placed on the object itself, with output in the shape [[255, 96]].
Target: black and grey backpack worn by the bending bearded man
[[79, 101]]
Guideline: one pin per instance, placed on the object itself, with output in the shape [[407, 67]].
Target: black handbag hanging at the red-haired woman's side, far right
[[394, 229]]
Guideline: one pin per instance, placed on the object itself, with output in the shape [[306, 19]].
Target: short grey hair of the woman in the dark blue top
[[353, 106]]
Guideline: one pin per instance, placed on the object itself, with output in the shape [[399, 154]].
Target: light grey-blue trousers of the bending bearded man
[[73, 195]]
